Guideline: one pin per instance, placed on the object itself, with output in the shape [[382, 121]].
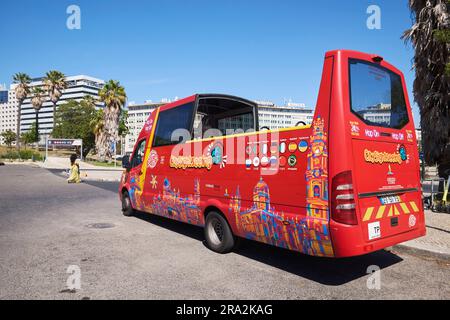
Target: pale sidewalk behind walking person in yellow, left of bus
[[88, 171]]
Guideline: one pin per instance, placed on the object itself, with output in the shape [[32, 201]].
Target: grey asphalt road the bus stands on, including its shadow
[[46, 225]]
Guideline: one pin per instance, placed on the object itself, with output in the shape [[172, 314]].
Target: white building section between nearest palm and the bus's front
[[137, 115]]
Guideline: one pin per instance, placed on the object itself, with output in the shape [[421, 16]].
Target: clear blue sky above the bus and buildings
[[261, 49]]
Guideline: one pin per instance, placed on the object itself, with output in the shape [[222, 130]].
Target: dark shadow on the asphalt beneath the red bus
[[327, 271]]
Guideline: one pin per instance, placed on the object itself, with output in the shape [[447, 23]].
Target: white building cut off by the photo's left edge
[[8, 111]]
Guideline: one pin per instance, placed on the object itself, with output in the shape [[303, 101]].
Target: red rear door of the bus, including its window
[[385, 153]]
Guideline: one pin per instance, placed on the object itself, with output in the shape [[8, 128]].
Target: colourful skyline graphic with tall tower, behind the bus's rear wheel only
[[308, 234]]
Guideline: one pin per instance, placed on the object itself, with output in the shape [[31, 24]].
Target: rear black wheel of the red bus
[[218, 234]]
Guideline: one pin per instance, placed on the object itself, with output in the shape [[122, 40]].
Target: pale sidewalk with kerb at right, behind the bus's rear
[[436, 244]]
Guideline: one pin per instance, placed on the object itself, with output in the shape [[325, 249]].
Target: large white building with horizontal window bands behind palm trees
[[77, 88]]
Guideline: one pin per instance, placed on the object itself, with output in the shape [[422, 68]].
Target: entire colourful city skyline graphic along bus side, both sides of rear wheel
[[304, 232]]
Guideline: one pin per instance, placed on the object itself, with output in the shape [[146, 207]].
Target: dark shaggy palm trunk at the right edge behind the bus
[[429, 36]]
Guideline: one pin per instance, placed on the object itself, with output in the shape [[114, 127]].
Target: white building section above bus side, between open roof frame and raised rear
[[278, 117]]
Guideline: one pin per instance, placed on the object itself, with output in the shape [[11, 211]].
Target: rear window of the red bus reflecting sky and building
[[376, 95]]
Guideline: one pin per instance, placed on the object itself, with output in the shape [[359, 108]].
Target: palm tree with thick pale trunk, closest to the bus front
[[114, 97]]
